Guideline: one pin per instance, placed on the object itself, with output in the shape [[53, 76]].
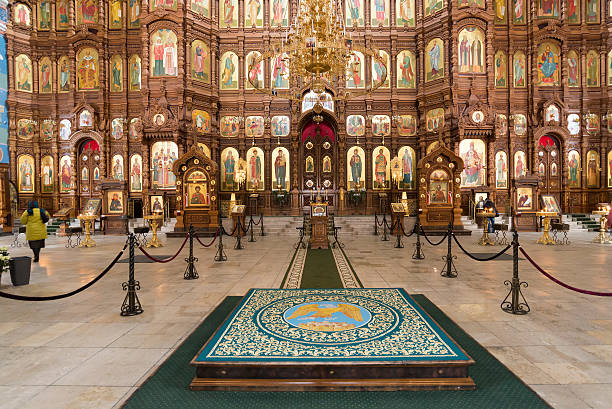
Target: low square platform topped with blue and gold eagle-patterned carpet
[[309, 328]]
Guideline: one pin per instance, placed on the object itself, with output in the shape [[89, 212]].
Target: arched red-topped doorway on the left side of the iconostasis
[[88, 170]]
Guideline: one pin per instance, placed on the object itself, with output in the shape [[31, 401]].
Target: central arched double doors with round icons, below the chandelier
[[318, 165]]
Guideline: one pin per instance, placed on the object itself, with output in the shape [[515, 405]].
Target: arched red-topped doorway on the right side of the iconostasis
[[549, 164]]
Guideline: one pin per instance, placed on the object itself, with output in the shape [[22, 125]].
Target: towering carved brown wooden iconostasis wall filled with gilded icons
[[499, 81]]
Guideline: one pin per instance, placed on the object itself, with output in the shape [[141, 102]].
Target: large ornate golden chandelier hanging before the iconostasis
[[317, 51]]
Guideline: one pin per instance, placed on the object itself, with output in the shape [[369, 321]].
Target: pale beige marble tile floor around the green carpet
[[80, 353]]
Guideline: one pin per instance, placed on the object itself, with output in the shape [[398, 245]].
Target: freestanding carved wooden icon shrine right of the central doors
[[439, 189]]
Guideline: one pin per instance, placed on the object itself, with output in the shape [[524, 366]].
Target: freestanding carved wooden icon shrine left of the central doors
[[197, 200]]
